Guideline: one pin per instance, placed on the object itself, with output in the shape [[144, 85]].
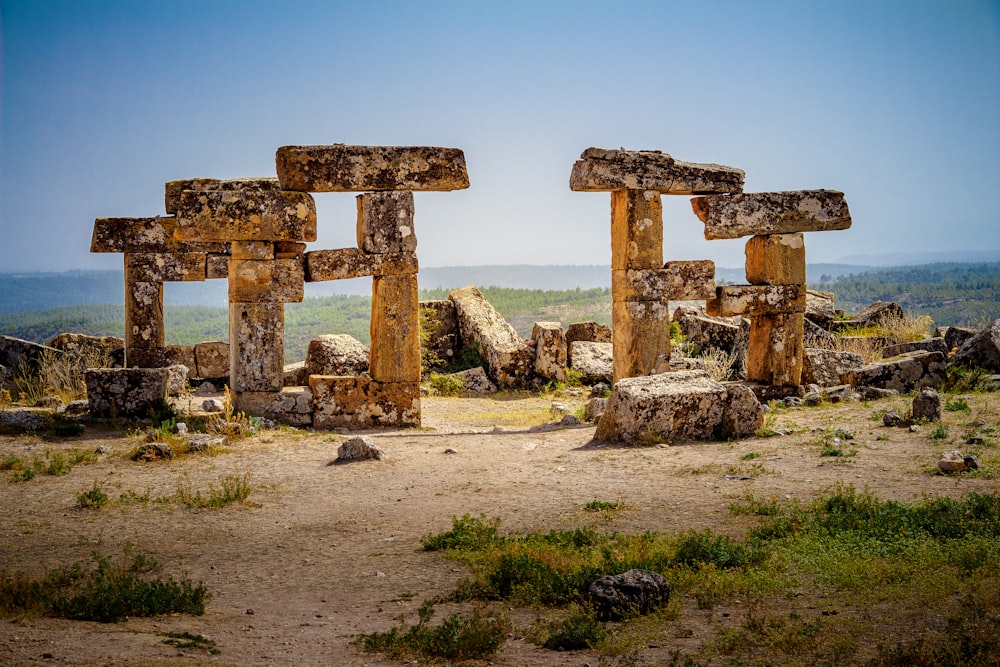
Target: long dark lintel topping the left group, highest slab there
[[342, 168]]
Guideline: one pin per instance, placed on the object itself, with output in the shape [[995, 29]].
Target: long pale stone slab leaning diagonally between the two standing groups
[[509, 362]]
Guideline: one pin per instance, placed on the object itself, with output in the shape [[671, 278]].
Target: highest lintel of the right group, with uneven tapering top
[[603, 170]]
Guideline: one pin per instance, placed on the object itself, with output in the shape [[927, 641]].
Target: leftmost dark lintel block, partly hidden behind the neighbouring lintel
[[154, 234]]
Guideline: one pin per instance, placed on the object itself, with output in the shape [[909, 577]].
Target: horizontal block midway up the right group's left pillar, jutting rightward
[[675, 281]]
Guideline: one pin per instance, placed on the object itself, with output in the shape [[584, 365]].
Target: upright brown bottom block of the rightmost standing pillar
[[774, 355]]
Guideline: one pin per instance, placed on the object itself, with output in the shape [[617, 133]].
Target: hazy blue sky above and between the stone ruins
[[895, 103]]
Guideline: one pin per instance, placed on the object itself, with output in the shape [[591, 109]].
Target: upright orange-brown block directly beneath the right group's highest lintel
[[636, 229]]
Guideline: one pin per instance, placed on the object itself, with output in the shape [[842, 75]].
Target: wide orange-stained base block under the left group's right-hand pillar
[[358, 401]]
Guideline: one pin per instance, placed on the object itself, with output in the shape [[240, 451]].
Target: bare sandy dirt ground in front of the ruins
[[320, 553]]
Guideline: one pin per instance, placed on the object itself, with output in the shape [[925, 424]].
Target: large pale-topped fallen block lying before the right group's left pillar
[[664, 407]]
